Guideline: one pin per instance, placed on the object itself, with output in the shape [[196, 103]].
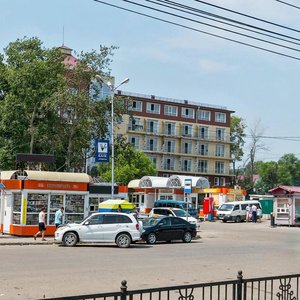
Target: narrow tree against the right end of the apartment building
[[237, 135]]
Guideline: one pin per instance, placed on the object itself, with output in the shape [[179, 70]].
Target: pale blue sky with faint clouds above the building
[[168, 61]]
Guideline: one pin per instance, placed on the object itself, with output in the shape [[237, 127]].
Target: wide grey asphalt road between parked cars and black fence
[[37, 271]]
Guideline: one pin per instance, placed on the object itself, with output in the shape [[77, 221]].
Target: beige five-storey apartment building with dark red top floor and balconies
[[179, 136]]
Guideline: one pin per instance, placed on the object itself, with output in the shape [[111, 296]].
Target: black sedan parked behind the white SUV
[[168, 229]]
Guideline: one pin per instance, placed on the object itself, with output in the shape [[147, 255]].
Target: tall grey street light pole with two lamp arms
[[112, 90]]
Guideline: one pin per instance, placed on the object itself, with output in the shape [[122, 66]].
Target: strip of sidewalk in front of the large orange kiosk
[[6, 239]]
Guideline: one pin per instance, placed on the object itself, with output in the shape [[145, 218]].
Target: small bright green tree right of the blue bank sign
[[129, 164]]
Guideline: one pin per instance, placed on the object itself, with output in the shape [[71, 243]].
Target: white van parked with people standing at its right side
[[235, 211]]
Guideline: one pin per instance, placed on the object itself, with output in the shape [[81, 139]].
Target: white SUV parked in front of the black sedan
[[103, 227]]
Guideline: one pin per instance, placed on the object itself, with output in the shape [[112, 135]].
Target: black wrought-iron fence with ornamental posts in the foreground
[[286, 287]]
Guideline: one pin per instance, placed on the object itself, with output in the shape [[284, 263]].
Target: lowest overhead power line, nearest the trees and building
[[200, 31]]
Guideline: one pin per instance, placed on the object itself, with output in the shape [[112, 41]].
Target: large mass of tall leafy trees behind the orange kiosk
[[46, 106]]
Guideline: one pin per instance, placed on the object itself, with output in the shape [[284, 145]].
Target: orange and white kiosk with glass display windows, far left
[[26, 192]]
